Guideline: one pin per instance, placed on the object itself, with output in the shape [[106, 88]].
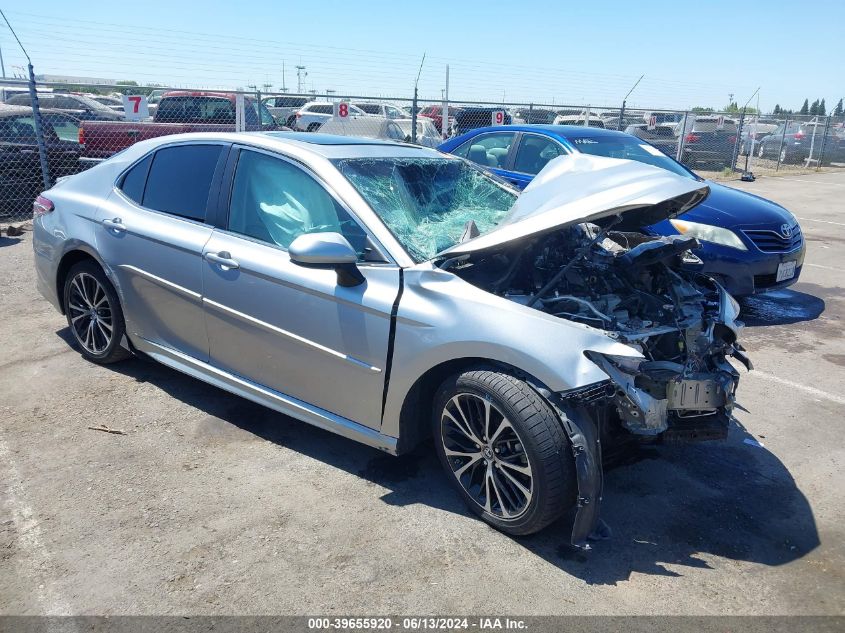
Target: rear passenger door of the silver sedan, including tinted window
[[151, 237]]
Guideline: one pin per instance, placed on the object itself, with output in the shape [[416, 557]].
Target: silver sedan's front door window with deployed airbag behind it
[[275, 202]]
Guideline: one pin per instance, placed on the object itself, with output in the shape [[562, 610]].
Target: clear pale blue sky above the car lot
[[691, 53]]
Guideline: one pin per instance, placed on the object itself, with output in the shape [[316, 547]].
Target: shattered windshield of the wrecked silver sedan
[[427, 202]]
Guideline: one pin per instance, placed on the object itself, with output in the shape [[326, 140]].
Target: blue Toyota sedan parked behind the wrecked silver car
[[749, 244]]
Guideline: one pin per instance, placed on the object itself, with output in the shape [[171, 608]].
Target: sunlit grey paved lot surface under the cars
[[212, 505]]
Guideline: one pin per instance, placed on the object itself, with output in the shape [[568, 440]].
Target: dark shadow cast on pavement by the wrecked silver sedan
[[667, 506]]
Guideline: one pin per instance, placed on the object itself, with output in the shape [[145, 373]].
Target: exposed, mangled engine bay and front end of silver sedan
[[644, 292]]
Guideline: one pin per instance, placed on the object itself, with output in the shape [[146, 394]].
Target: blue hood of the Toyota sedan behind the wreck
[[730, 208]]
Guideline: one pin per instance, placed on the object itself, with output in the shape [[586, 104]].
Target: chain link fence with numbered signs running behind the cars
[[81, 125]]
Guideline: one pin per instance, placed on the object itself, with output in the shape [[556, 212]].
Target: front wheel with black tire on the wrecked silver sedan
[[541, 443]]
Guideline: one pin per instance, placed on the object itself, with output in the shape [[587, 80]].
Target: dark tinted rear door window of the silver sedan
[[180, 179]]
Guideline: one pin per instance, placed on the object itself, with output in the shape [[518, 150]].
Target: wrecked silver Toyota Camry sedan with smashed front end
[[390, 293]]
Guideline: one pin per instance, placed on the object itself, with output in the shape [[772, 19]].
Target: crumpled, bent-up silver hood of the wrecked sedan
[[582, 188]]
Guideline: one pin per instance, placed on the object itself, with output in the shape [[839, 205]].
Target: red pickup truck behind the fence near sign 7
[[177, 112]]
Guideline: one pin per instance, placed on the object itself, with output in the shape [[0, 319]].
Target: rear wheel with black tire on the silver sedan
[[80, 296]]
